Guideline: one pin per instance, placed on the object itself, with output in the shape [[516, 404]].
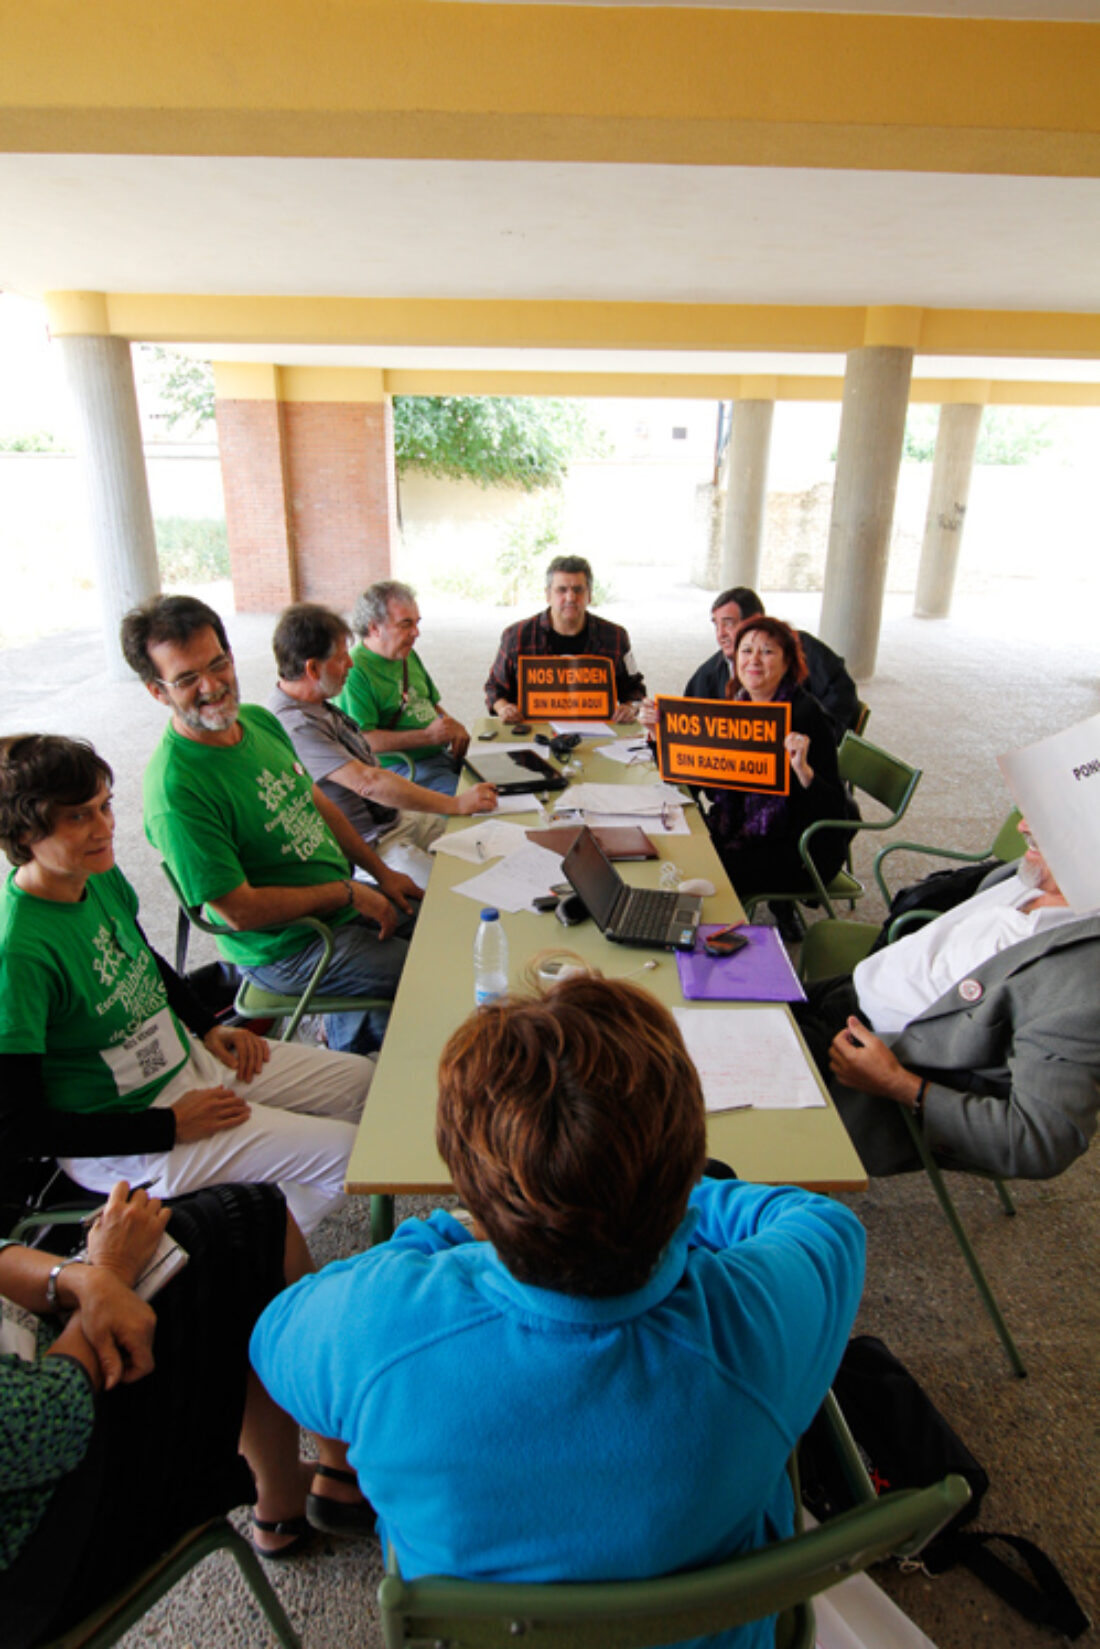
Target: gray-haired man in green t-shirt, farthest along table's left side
[[390, 693]]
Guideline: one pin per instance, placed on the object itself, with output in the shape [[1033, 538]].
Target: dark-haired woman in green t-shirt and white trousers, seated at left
[[96, 1063]]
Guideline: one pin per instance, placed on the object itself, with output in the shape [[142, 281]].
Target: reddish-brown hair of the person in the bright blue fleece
[[573, 1127]]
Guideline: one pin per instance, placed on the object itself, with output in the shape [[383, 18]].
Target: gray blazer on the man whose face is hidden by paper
[[1013, 1058]]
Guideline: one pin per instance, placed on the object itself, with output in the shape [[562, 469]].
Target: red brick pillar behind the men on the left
[[311, 505]]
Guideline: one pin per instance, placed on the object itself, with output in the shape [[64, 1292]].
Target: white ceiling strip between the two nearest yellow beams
[[548, 230]]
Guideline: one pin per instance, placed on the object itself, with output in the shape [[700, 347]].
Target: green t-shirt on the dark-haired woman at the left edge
[[80, 987]]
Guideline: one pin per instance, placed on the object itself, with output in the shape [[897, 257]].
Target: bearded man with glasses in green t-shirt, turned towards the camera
[[247, 834]]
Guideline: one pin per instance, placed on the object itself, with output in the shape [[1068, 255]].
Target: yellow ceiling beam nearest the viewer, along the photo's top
[[435, 78]]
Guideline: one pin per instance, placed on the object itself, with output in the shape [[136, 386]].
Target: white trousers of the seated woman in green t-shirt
[[299, 1134]]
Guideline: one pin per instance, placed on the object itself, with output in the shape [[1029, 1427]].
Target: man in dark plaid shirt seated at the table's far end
[[565, 627]]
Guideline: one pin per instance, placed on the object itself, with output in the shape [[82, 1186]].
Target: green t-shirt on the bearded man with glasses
[[223, 815]]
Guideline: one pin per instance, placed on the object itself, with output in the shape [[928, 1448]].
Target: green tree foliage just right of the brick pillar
[[496, 441]]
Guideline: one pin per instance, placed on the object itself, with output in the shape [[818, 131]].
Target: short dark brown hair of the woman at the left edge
[[40, 774]]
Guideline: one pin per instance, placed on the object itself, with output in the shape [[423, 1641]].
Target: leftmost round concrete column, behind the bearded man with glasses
[[121, 519]]
